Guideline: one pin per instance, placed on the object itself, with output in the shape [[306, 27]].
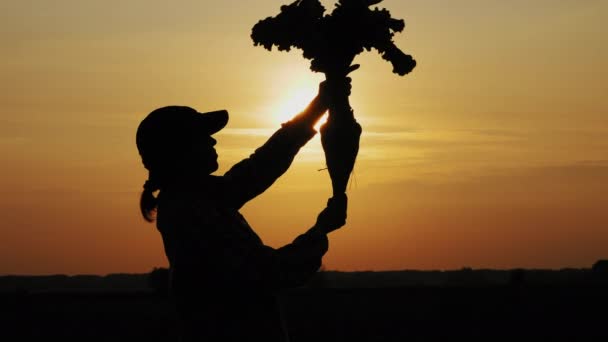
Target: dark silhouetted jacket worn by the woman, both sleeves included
[[223, 278]]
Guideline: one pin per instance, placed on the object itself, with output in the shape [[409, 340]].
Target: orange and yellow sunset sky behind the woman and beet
[[492, 153]]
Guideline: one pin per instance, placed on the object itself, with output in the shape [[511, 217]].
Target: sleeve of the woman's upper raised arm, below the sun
[[252, 176]]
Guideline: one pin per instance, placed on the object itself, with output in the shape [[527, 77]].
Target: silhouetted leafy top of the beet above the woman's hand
[[332, 41]]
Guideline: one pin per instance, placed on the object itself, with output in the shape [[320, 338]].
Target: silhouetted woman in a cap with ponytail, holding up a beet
[[224, 280]]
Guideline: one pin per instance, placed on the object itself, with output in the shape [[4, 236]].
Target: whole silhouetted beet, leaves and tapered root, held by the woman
[[331, 42]]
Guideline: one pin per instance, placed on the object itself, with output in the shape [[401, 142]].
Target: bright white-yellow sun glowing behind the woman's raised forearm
[[295, 101]]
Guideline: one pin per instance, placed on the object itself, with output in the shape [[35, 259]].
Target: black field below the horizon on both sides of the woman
[[480, 305]]
